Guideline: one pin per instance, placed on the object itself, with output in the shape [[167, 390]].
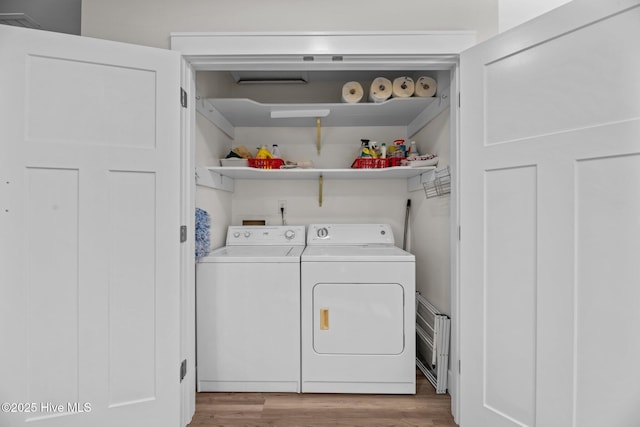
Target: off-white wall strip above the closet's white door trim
[[149, 22]]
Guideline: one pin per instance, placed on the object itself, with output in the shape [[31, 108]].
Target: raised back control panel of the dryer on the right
[[350, 234]]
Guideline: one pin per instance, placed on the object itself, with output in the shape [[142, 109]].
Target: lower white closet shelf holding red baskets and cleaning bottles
[[222, 177]]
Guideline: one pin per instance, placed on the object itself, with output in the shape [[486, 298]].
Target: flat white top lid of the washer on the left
[[246, 254]]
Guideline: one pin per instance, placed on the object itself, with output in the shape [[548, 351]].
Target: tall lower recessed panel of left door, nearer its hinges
[[132, 287]]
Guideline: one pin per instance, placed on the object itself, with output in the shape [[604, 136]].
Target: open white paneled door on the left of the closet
[[90, 205]]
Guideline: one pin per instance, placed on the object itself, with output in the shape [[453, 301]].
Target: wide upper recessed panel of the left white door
[[112, 104]]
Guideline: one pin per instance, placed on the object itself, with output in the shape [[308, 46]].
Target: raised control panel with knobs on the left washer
[[256, 235]]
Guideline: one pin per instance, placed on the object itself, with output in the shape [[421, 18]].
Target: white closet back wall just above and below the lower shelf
[[344, 201]]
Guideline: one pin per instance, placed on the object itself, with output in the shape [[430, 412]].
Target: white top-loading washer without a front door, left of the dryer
[[248, 311]]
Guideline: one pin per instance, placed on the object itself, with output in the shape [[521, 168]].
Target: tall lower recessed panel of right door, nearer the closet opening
[[510, 327]]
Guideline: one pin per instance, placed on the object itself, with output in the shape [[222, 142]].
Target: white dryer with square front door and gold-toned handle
[[358, 311]]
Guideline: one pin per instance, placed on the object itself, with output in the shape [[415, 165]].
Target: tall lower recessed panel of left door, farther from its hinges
[[52, 209]]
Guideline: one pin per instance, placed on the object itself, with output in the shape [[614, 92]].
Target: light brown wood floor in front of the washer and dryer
[[425, 408]]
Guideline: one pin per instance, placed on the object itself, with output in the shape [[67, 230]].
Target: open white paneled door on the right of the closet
[[550, 238]]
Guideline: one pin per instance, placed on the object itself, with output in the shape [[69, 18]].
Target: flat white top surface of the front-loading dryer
[[362, 253]]
